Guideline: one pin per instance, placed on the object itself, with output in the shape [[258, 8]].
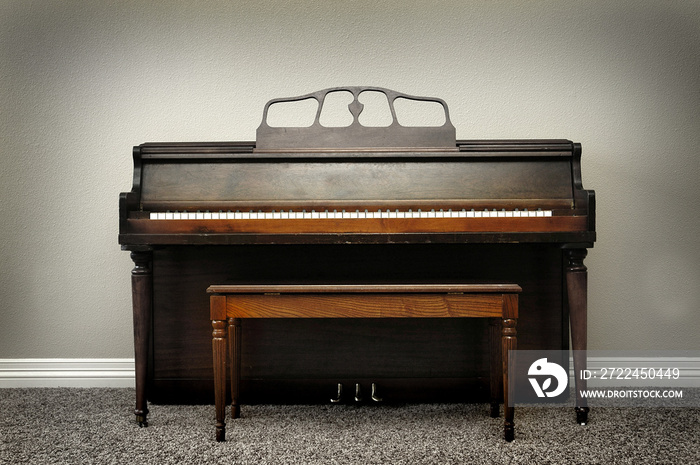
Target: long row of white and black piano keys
[[343, 214]]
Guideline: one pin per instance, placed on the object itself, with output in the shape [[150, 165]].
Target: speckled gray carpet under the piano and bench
[[84, 426]]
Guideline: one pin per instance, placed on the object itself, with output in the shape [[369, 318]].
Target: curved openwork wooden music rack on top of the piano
[[317, 137]]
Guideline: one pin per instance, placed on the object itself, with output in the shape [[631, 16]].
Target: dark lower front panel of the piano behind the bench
[[306, 351]]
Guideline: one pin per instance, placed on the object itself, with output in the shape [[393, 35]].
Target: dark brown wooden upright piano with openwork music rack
[[352, 204]]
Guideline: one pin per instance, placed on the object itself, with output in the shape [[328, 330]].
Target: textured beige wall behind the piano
[[82, 82]]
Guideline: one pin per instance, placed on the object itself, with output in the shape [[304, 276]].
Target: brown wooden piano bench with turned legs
[[230, 303]]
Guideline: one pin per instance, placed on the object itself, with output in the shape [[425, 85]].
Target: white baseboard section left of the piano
[[67, 372]]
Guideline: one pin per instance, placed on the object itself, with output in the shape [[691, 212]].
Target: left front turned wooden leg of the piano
[[142, 299]]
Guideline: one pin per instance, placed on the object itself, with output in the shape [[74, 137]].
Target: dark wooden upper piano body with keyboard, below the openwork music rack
[[505, 191]]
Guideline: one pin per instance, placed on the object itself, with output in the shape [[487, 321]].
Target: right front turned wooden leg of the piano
[[577, 290]]
